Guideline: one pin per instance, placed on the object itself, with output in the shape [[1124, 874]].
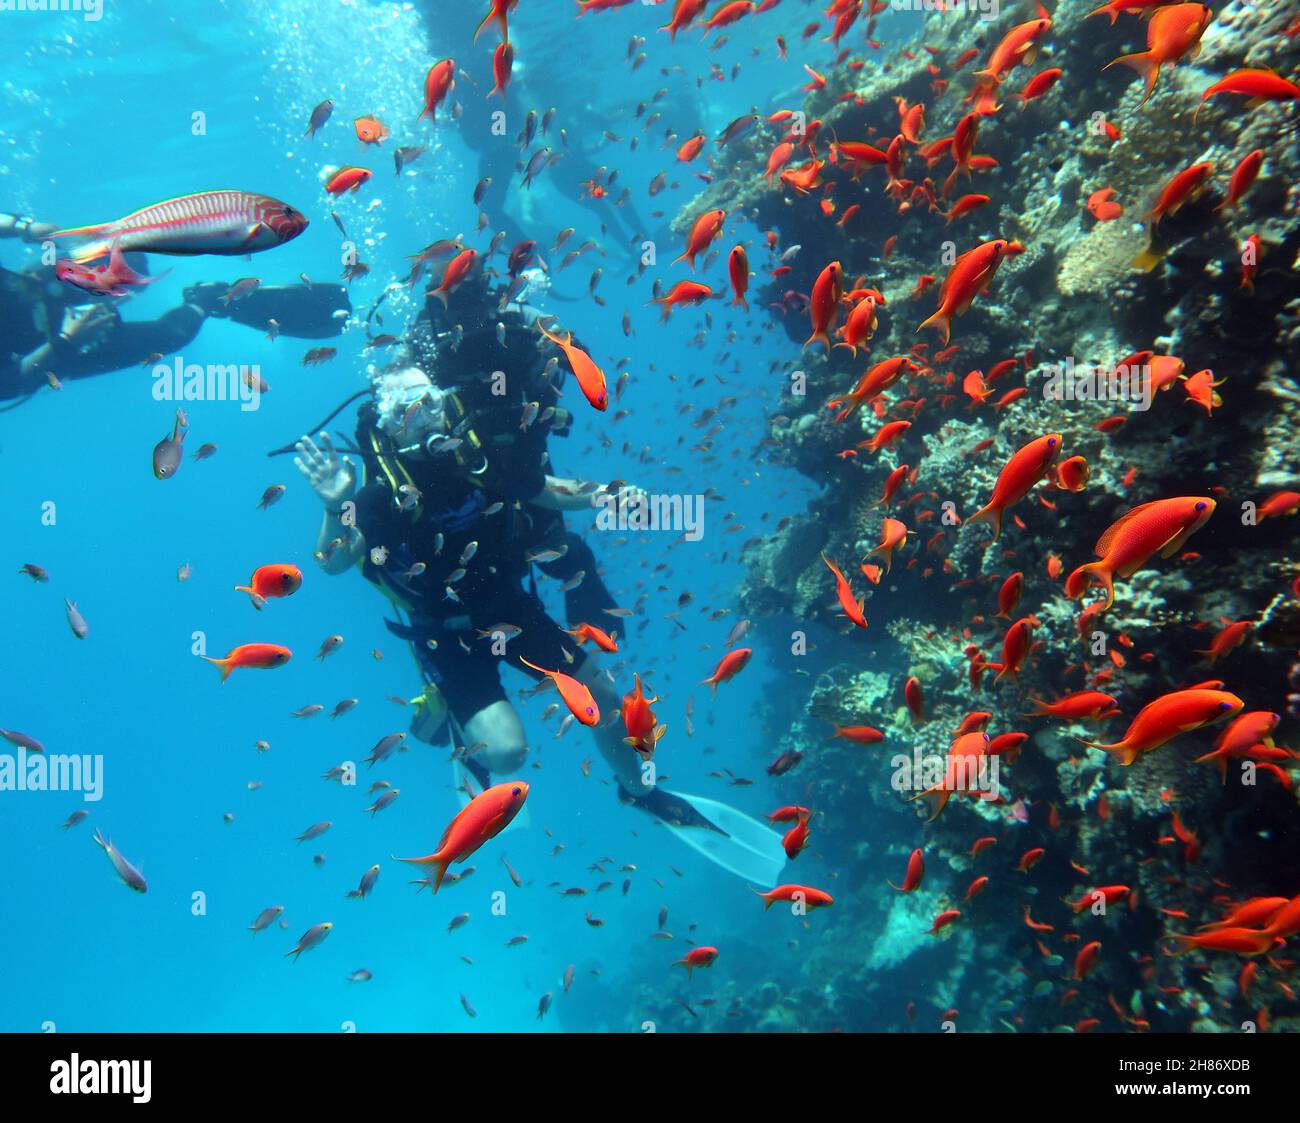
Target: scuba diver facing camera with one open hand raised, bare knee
[[458, 506]]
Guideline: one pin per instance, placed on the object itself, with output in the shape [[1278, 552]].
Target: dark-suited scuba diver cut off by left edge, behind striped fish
[[51, 328]]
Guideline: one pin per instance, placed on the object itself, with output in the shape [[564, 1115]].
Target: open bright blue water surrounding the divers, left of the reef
[[98, 122]]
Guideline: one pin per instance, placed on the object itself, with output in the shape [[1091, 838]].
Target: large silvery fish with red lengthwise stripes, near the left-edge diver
[[224, 223]]
